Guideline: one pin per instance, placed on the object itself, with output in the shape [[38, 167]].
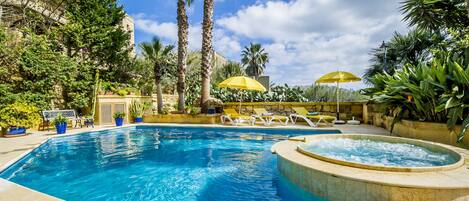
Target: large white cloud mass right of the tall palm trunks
[[309, 38]]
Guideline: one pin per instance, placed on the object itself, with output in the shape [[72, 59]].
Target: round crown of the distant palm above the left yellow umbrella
[[254, 59]]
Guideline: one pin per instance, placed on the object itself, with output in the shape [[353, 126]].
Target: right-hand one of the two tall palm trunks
[[207, 53]]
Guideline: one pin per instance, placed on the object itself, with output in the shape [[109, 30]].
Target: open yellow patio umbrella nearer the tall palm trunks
[[242, 83]]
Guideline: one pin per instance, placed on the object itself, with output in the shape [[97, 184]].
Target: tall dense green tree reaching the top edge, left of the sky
[[95, 33]]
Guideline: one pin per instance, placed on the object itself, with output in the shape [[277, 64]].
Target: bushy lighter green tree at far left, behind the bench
[[34, 71]]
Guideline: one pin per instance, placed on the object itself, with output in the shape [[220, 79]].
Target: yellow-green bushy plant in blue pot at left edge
[[17, 117]]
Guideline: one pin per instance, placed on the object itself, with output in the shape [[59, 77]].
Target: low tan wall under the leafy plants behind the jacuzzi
[[435, 132]]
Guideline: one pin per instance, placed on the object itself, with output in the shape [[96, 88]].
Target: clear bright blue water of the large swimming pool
[[160, 163]]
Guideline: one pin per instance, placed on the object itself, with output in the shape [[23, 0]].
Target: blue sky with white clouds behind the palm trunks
[[305, 39]]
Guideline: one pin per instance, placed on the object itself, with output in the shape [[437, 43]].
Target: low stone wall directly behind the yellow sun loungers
[[347, 109]]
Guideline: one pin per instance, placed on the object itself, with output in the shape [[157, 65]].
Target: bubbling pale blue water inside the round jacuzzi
[[378, 153]]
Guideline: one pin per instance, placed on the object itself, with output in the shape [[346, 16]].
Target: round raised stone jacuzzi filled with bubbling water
[[374, 167]]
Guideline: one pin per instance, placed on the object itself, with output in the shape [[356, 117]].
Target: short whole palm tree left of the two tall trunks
[[161, 56]]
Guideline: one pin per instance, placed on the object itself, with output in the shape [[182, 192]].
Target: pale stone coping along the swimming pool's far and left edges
[[44, 196]]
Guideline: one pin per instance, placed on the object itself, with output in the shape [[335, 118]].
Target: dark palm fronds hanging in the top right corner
[[436, 14]]
